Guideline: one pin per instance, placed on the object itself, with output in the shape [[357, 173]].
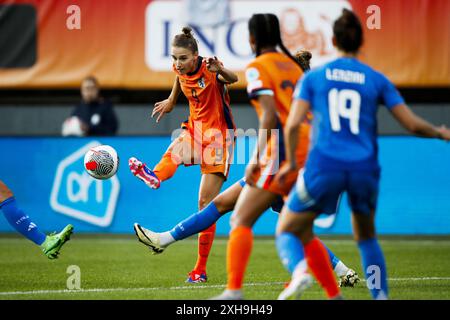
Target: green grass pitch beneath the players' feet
[[118, 267]]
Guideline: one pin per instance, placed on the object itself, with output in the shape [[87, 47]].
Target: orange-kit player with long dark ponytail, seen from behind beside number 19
[[271, 79]]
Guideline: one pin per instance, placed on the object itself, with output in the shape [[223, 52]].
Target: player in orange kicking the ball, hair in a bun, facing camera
[[204, 82]]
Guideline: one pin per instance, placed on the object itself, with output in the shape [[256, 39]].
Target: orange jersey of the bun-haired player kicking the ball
[[209, 102]]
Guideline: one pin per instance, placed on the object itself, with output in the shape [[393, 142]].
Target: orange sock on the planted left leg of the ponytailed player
[[238, 253]]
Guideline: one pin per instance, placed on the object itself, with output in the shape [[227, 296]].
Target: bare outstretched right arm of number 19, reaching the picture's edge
[[418, 126]]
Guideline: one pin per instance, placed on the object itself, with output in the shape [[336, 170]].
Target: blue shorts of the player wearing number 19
[[319, 190]]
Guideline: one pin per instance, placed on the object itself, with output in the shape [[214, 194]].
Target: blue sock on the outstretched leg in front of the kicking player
[[196, 223]]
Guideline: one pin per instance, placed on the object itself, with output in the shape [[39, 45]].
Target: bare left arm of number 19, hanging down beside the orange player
[[297, 113]]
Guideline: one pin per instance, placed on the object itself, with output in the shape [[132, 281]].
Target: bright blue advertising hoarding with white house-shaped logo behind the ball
[[51, 185]]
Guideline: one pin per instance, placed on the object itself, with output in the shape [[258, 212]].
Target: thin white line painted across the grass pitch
[[36, 292]]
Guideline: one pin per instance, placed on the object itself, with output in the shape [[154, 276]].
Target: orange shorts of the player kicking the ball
[[213, 155]]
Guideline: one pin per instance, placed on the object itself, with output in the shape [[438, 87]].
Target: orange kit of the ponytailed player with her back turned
[[273, 73]]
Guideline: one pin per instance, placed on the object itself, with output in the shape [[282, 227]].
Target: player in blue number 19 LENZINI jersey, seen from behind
[[343, 96]]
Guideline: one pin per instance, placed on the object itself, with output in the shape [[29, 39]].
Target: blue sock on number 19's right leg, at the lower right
[[373, 261]]
